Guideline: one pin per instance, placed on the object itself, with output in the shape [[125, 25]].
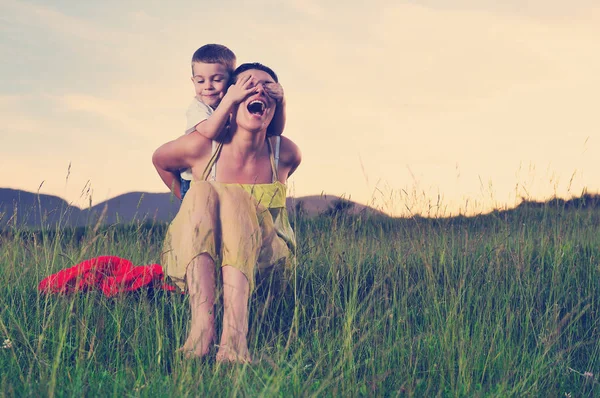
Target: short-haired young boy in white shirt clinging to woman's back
[[209, 112]]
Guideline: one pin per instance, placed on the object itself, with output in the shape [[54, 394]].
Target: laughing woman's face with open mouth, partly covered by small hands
[[256, 112]]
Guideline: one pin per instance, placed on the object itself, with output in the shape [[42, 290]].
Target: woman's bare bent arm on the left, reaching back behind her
[[178, 154]]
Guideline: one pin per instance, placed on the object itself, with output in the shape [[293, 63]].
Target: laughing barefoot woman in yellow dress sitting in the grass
[[234, 211]]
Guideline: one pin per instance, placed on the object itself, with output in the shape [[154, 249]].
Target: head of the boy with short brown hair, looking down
[[212, 67]]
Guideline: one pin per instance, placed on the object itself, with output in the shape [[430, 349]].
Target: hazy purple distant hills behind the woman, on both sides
[[24, 208]]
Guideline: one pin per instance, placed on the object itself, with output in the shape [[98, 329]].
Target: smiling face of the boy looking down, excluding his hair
[[210, 82]]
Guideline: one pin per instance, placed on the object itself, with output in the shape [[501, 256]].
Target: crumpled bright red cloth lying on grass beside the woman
[[109, 274]]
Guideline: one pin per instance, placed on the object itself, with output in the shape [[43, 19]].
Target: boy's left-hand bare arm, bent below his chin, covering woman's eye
[[212, 127]]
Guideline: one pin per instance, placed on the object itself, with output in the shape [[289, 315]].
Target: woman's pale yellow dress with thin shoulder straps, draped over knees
[[242, 225]]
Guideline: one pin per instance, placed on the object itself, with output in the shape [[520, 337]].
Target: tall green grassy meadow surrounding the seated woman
[[504, 304]]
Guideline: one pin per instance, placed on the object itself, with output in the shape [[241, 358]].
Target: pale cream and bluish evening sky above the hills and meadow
[[414, 107]]
